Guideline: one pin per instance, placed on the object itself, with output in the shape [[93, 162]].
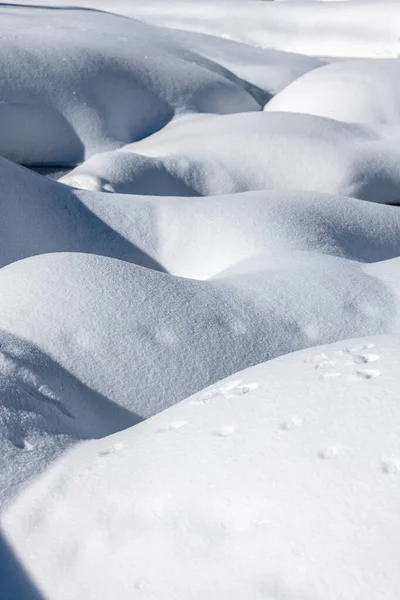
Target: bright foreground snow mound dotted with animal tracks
[[279, 482]]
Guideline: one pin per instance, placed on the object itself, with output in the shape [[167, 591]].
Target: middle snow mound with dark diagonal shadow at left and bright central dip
[[189, 237]]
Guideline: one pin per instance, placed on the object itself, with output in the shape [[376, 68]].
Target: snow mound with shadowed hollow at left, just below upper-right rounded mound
[[234, 153]]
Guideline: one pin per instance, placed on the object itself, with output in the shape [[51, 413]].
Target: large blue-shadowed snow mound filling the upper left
[[76, 82]]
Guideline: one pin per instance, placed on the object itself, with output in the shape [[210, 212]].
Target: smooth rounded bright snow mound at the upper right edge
[[365, 91]]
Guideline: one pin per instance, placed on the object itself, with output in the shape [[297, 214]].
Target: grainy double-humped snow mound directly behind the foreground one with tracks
[[90, 344]]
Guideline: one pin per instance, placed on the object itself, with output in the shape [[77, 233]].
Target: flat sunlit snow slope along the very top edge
[[357, 28]]
